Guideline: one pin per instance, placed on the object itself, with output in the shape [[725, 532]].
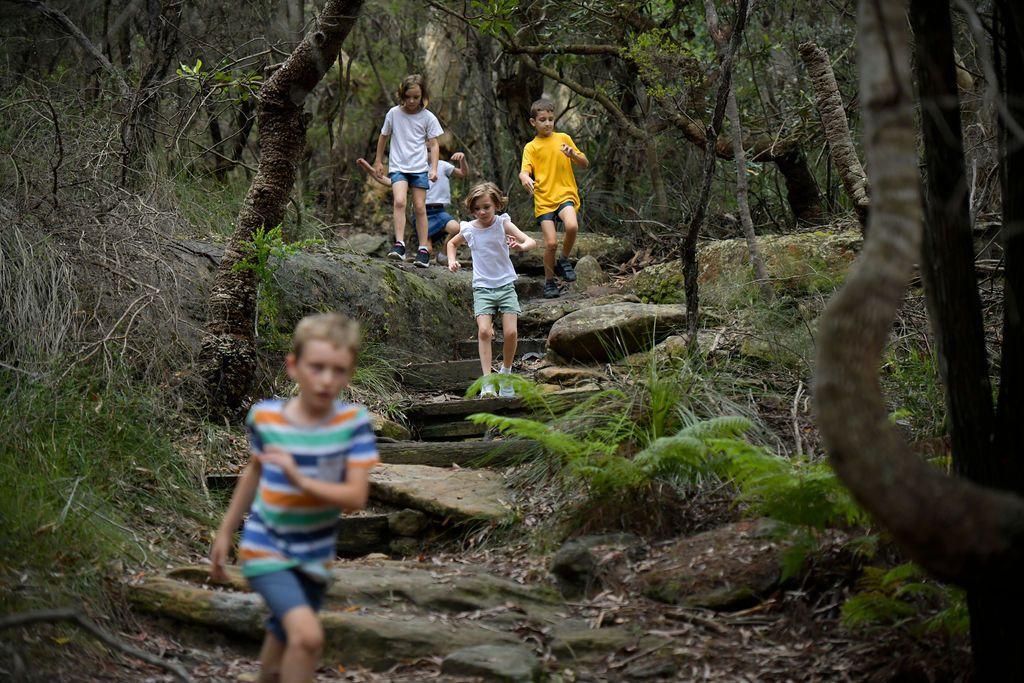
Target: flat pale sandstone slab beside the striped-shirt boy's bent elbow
[[453, 494]]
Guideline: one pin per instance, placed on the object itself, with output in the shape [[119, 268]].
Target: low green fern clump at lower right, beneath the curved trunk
[[904, 596]]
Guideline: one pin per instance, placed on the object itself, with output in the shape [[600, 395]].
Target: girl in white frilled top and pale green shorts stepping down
[[490, 238]]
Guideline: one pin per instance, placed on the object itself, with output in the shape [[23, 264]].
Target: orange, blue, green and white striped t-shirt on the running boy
[[286, 528]]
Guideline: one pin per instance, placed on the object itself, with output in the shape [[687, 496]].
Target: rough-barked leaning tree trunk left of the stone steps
[[228, 358]]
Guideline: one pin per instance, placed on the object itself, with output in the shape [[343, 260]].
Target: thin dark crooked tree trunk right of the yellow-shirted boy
[[690, 250]]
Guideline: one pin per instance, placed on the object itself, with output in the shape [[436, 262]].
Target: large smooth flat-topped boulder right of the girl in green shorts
[[612, 331]]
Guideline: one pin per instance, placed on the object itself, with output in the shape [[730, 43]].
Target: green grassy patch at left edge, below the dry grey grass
[[90, 477]]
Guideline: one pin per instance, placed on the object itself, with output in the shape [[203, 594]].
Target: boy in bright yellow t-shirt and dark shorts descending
[[546, 174]]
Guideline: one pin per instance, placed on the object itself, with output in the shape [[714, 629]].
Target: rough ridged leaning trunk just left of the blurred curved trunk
[[830, 106]]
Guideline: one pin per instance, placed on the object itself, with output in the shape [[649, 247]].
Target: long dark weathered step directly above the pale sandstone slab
[[438, 454]]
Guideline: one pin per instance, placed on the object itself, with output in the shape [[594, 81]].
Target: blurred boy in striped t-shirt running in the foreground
[[312, 458]]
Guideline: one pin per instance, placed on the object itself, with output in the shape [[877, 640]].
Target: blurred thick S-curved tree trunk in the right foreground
[[957, 530]]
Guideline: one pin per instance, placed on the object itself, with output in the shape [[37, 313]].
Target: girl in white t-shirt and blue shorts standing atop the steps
[[413, 161]]
